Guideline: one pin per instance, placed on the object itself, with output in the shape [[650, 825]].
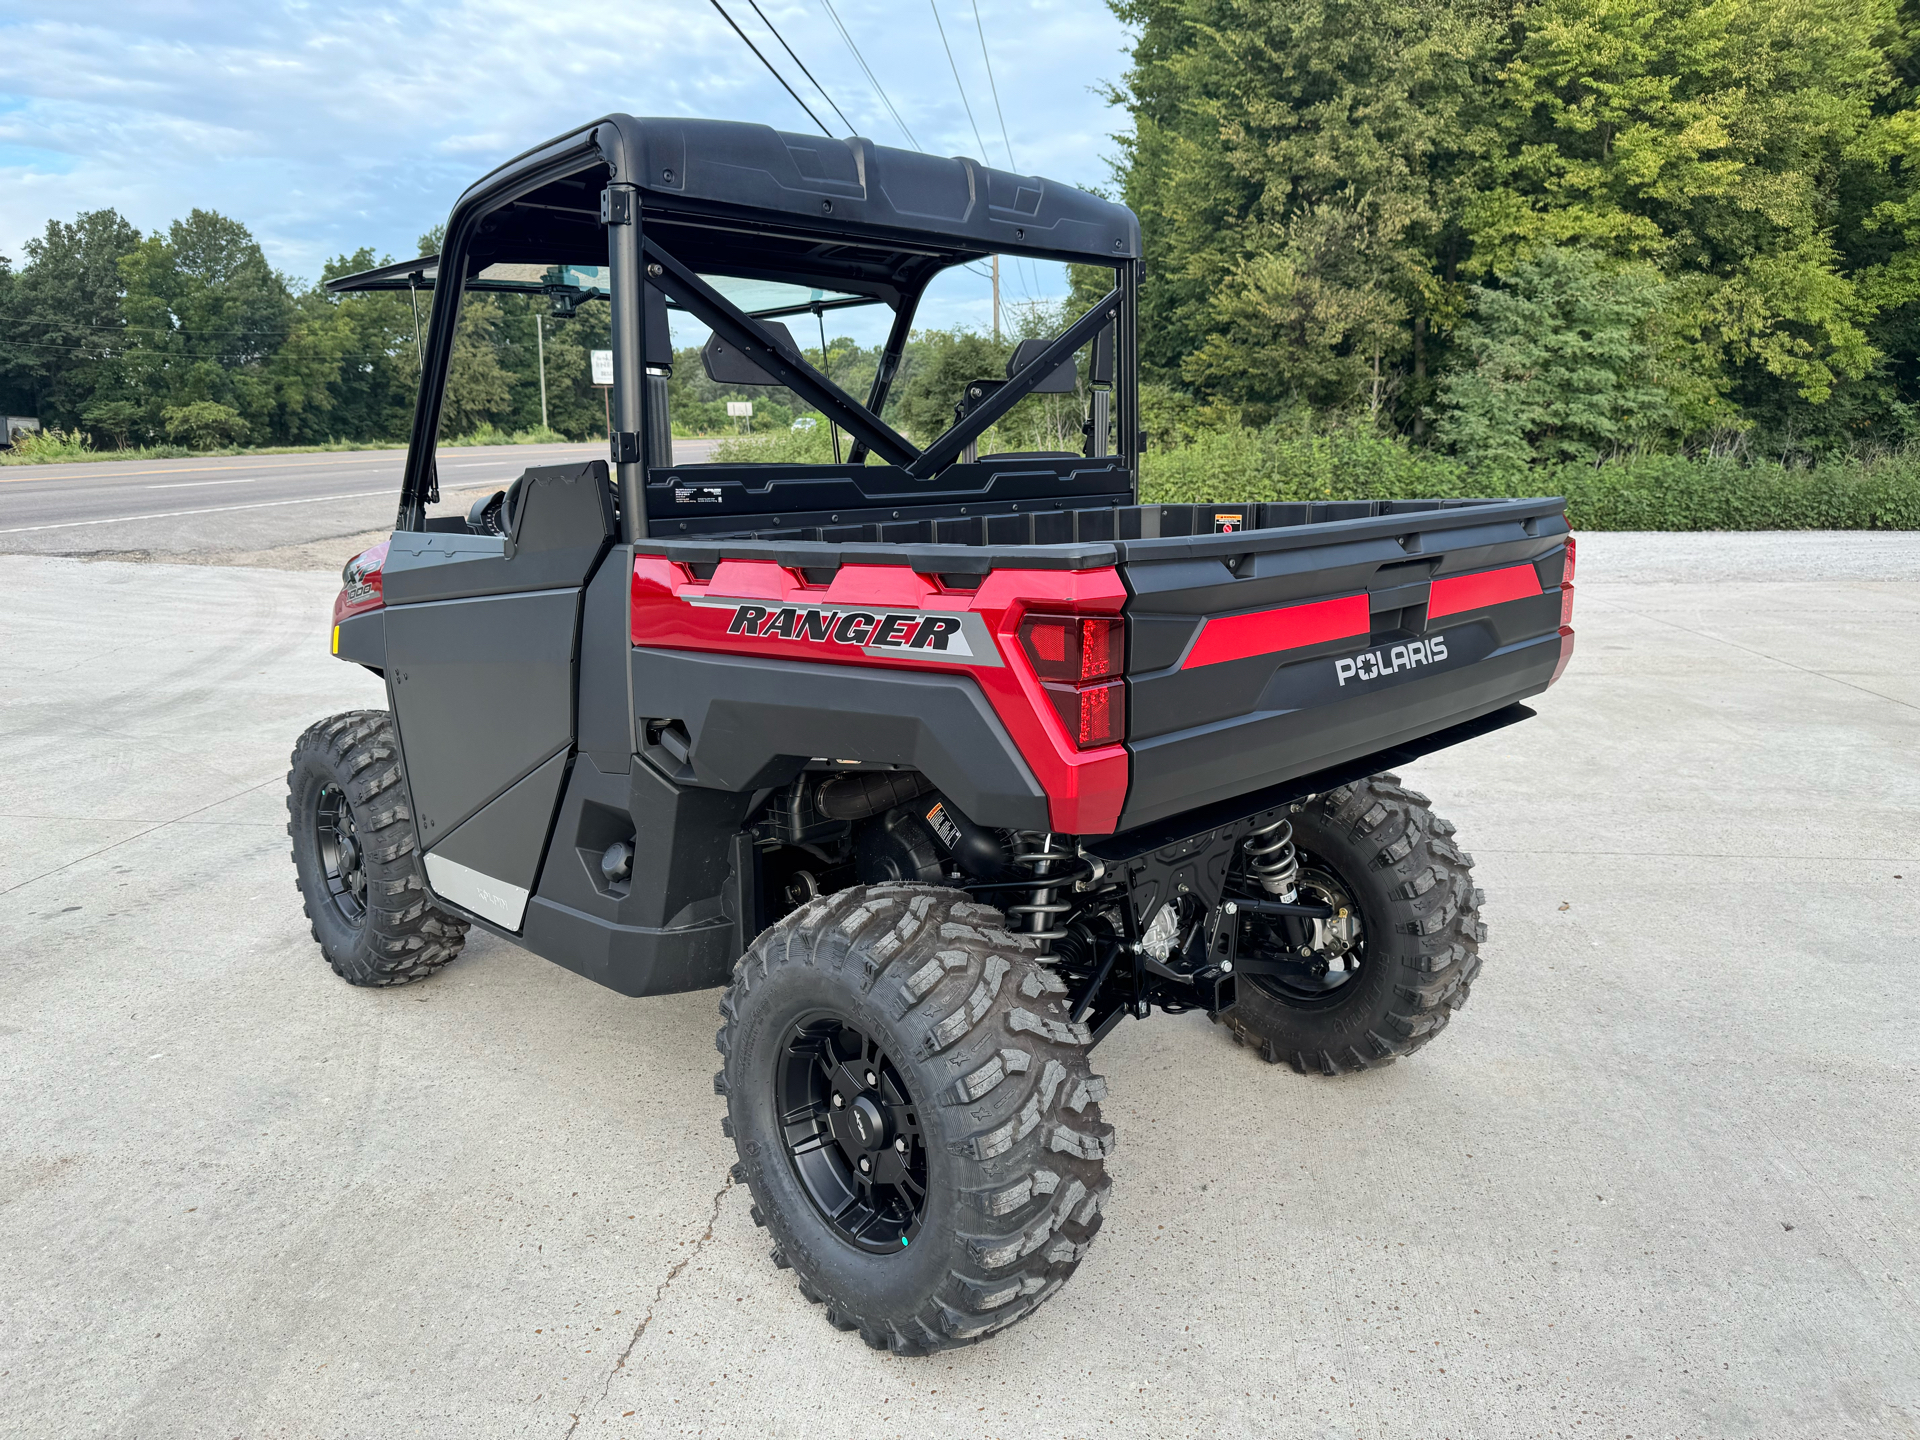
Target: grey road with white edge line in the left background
[[245, 504]]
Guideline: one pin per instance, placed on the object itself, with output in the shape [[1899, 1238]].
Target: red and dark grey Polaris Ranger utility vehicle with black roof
[[940, 764]]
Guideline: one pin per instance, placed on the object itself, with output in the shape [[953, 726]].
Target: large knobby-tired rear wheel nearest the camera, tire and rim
[[913, 1113]]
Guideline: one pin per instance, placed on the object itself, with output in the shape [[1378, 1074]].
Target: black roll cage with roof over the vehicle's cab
[[660, 208]]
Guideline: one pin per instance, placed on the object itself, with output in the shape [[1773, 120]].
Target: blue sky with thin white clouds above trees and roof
[[328, 128]]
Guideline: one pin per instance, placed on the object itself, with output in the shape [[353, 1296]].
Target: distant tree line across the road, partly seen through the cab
[[191, 337]]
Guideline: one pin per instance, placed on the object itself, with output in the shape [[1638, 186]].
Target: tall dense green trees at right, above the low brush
[[1323, 187]]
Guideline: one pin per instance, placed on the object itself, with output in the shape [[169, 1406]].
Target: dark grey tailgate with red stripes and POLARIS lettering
[[1261, 656]]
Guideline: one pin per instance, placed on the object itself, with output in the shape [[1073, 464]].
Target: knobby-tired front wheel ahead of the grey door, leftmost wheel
[[354, 856]]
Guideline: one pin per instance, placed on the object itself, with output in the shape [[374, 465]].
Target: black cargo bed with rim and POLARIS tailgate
[[1263, 643]]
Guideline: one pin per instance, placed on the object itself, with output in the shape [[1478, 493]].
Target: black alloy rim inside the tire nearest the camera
[[852, 1133]]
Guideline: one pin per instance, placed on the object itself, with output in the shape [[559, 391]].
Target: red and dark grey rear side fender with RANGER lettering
[[858, 639]]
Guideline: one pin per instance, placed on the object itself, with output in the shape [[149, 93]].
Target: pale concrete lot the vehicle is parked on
[[1659, 1179]]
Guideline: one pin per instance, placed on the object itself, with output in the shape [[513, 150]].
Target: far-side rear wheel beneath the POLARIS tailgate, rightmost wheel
[[1405, 944]]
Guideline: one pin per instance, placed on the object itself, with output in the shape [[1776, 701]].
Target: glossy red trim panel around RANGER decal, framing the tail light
[[1084, 789]]
